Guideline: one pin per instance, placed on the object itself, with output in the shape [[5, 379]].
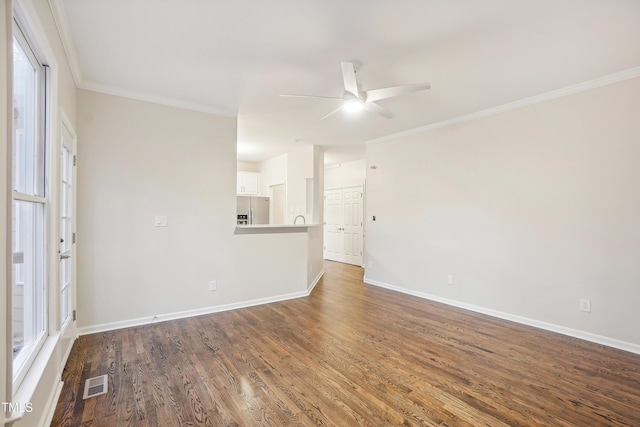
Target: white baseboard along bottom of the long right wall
[[587, 336]]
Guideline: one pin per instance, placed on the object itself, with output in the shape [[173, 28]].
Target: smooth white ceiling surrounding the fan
[[236, 57]]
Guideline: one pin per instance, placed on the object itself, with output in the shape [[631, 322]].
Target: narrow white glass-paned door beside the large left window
[[67, 233]]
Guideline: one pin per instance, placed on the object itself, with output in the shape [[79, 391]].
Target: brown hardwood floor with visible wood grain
[[350, 354]]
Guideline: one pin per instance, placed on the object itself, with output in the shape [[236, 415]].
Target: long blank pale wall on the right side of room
[[530, 210]]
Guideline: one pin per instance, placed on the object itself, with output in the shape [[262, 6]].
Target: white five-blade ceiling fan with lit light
[[355, 100]]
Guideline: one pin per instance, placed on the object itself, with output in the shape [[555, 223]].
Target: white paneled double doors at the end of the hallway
[[343, 228]]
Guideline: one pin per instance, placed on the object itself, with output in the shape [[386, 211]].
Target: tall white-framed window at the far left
[[29, 296]]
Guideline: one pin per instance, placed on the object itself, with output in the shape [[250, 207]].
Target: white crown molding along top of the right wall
[[525, 102]]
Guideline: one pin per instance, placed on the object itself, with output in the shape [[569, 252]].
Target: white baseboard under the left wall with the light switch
[[187, 313]]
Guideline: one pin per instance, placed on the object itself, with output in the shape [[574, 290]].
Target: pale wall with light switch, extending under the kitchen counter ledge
[[138, 160]]
